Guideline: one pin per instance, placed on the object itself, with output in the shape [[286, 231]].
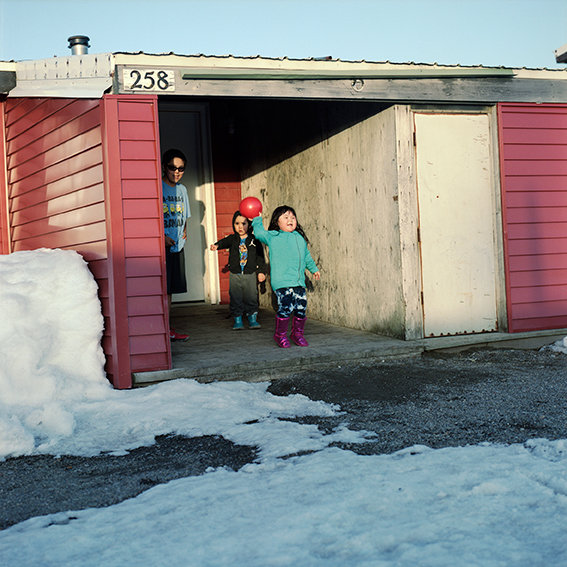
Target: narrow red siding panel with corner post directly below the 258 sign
[[135, 230]]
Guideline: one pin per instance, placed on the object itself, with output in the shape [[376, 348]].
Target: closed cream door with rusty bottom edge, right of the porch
[[455, 185]]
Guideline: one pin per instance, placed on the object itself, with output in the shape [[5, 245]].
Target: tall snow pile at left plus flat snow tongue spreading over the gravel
[[57, 400]]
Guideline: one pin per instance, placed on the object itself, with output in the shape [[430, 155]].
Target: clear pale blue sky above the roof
[[512, 33]]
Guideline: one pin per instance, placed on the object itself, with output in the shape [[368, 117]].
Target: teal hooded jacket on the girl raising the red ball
[[288, 253]]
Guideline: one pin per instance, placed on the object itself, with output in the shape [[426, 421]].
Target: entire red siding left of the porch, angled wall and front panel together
[[84, 175]]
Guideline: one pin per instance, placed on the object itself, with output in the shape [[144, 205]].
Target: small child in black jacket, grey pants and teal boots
[[246, 264]]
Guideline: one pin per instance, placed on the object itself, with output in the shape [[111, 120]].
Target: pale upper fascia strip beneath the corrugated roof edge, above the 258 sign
[[91, 75]]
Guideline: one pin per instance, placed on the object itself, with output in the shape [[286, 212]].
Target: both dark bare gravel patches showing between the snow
[[438, 400]]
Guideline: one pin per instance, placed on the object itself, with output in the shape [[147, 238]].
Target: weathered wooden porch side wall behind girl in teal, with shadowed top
[[343, 183]]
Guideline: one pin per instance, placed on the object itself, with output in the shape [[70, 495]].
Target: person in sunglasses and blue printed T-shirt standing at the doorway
[[176, 212]]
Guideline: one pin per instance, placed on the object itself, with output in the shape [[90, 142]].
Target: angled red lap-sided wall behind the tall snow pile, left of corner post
[[55, 183]]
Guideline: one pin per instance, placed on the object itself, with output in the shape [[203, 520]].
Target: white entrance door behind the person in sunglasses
[[186, 127]]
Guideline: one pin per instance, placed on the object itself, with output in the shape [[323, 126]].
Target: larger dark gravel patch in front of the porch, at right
[[443, 400]]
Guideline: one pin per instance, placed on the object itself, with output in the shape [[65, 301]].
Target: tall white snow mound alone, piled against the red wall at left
[[50, 354]]
